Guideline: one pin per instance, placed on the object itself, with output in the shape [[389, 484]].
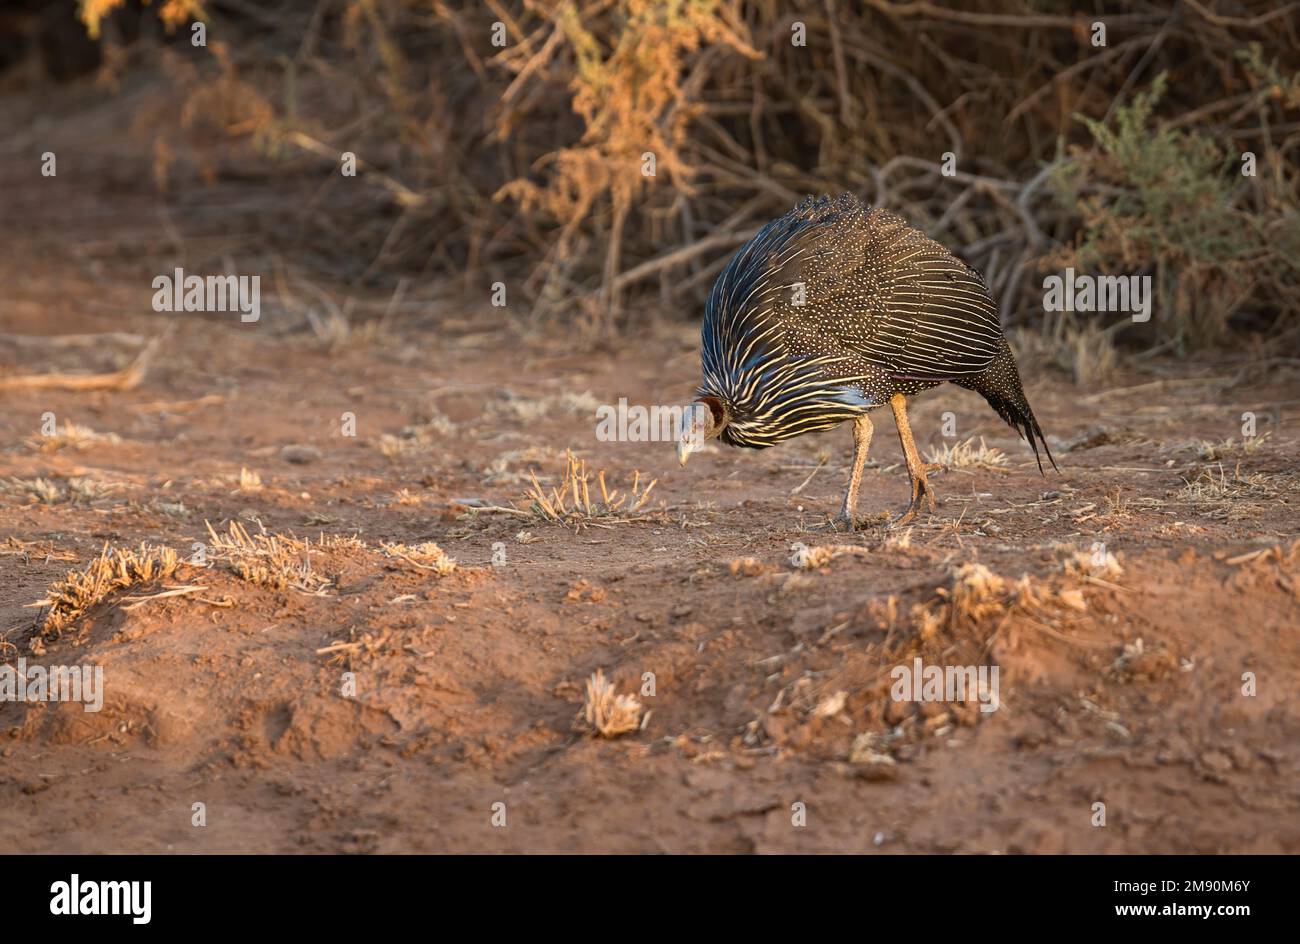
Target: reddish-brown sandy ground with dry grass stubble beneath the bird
[[772, 682]]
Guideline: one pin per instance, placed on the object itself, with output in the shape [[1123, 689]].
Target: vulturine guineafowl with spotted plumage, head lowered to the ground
[[833, 311]]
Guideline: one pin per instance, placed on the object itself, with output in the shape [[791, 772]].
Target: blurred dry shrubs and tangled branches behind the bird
[[523, 162]]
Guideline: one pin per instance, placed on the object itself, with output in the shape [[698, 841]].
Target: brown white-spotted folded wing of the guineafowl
[[892, 296]]
